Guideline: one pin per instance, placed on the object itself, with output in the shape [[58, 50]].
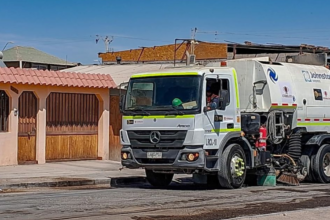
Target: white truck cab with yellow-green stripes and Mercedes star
[[174, 121]]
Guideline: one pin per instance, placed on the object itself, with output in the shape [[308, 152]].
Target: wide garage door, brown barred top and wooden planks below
[[72, 125]]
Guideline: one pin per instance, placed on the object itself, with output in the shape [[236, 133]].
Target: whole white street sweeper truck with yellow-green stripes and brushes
[[229, 122]]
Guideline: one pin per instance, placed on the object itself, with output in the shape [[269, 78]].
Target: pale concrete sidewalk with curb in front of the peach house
[[73, 173]]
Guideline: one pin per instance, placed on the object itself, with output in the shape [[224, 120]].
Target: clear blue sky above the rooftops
[[68, 28]]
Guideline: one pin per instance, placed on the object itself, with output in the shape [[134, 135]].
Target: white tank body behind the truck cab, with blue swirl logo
[[304, 89]]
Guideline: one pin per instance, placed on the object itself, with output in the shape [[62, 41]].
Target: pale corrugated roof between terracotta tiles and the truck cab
[[119, 73]]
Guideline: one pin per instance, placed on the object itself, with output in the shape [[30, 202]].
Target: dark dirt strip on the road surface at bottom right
[[250, 210]]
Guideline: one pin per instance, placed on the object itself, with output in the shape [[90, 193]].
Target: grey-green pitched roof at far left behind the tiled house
[[30, 54]]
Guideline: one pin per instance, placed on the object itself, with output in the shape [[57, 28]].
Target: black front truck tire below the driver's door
[[226, 178]]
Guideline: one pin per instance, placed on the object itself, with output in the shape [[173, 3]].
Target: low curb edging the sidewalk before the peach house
[[112, 182]]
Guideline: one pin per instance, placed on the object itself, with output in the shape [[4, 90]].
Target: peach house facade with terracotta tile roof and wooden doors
[[51, 116]]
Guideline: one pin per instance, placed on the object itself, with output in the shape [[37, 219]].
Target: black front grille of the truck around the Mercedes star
[[168, 139]]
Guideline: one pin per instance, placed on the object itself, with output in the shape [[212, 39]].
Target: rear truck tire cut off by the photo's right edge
[[317, 164]]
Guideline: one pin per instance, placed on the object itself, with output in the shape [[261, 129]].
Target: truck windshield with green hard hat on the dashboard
[[164, 93]]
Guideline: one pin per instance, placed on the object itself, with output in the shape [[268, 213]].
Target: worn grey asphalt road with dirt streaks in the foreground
[[179, 201]]
